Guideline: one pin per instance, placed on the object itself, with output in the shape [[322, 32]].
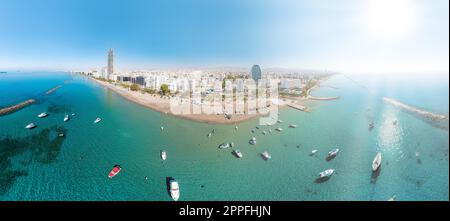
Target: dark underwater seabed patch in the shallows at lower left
[[43, 146]]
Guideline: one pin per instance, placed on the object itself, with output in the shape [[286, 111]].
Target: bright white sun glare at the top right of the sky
[[389, 18]]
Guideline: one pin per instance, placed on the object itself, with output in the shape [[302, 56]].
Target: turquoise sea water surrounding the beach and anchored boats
[[38, 165]]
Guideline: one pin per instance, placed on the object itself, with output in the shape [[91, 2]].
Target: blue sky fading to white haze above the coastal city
[[346, 35]]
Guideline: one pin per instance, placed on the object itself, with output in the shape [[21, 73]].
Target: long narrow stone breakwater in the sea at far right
[[436, 120]]
